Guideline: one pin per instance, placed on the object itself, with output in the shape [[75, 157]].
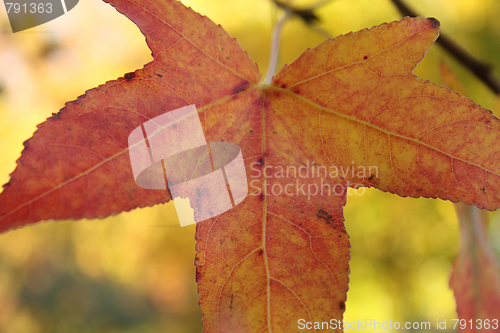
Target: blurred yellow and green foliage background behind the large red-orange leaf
[[134, 272]]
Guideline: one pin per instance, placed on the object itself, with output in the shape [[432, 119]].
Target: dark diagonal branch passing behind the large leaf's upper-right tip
[[483, 71]]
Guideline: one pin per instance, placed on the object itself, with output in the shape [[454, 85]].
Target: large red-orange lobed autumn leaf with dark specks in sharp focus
[[349, 112]]
